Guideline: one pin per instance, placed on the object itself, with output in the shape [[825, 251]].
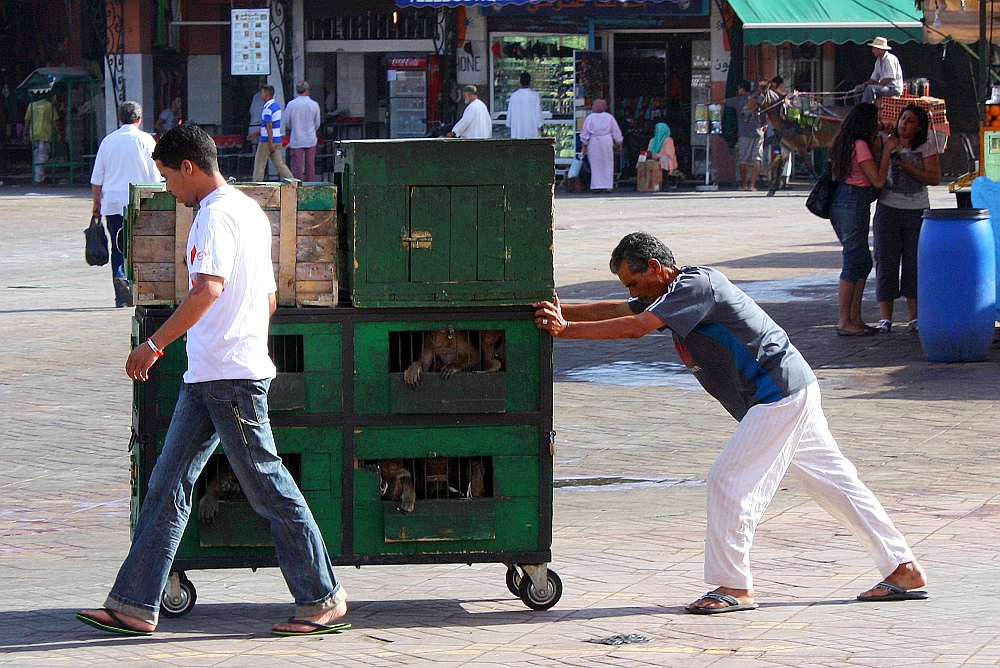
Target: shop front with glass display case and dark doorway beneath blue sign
[[648, 59]]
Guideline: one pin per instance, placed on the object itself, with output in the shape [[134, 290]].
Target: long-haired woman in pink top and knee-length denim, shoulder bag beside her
[[858, 175]]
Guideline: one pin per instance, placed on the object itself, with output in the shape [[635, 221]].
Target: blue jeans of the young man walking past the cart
[[236, 412]]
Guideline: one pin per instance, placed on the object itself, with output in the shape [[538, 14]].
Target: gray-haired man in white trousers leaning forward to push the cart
[[744, 360]]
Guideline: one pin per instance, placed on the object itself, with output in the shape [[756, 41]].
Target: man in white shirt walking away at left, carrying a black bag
[[124, 157]]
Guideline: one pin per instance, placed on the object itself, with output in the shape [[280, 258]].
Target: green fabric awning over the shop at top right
[[819, 21]]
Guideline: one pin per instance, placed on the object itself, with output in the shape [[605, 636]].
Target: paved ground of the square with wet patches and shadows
[[923, 435]]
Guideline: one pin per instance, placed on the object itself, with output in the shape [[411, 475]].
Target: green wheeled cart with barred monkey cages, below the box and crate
[[478, 446]]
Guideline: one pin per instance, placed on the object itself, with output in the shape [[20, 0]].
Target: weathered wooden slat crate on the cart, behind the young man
[[303, 242]]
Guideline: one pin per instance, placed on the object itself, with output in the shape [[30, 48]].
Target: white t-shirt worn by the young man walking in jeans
[[231, 238]]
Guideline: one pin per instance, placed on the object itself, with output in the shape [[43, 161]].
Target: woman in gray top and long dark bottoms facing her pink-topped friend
[[910, 162]]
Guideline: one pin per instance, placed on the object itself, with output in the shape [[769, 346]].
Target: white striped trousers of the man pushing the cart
[[791, 434]]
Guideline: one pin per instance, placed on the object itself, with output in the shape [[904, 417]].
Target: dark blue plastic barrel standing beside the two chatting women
[[956, 284]]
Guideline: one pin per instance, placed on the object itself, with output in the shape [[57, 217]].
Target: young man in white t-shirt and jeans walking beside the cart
[[225, 315]]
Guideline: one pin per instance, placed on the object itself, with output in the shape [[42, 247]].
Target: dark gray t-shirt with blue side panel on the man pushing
[[738, 354]]
